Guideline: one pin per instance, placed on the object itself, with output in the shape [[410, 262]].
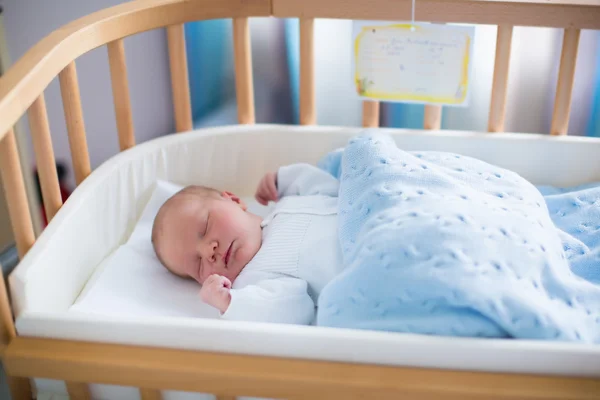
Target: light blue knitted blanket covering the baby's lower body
[[438, 243]]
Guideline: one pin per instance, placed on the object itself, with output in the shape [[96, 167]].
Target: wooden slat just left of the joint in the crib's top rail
[[243, 71]]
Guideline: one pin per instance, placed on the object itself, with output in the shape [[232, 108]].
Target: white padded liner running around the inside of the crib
[[101, 213]]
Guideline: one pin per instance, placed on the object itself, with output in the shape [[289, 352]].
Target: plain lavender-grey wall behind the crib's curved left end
[[28, 21]]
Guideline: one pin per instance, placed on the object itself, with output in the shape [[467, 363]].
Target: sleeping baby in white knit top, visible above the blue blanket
[[254, 269]]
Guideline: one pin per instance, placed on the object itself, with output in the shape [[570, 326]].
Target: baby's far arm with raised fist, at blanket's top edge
[[296, 180]]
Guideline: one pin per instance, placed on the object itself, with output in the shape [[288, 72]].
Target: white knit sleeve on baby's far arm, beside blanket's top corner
[[305, 180]]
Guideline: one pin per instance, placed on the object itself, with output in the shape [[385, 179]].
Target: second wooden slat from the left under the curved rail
[[44, 155]]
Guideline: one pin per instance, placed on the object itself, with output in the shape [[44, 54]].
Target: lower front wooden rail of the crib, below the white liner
[[274, 377]]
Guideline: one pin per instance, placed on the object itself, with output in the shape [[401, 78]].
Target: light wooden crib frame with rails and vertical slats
[[229, 375]]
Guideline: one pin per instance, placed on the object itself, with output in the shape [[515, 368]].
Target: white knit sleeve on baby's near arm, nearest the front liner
[[280, 299]]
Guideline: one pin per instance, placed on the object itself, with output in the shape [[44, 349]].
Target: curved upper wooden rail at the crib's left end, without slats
[[30, 75]]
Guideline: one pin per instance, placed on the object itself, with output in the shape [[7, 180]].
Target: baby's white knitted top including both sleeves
[[300, 252]]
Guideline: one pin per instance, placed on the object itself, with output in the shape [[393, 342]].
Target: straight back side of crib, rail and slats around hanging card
[[572, 15]]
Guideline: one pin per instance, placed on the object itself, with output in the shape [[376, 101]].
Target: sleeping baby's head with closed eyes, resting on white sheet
[[205, 236]]
